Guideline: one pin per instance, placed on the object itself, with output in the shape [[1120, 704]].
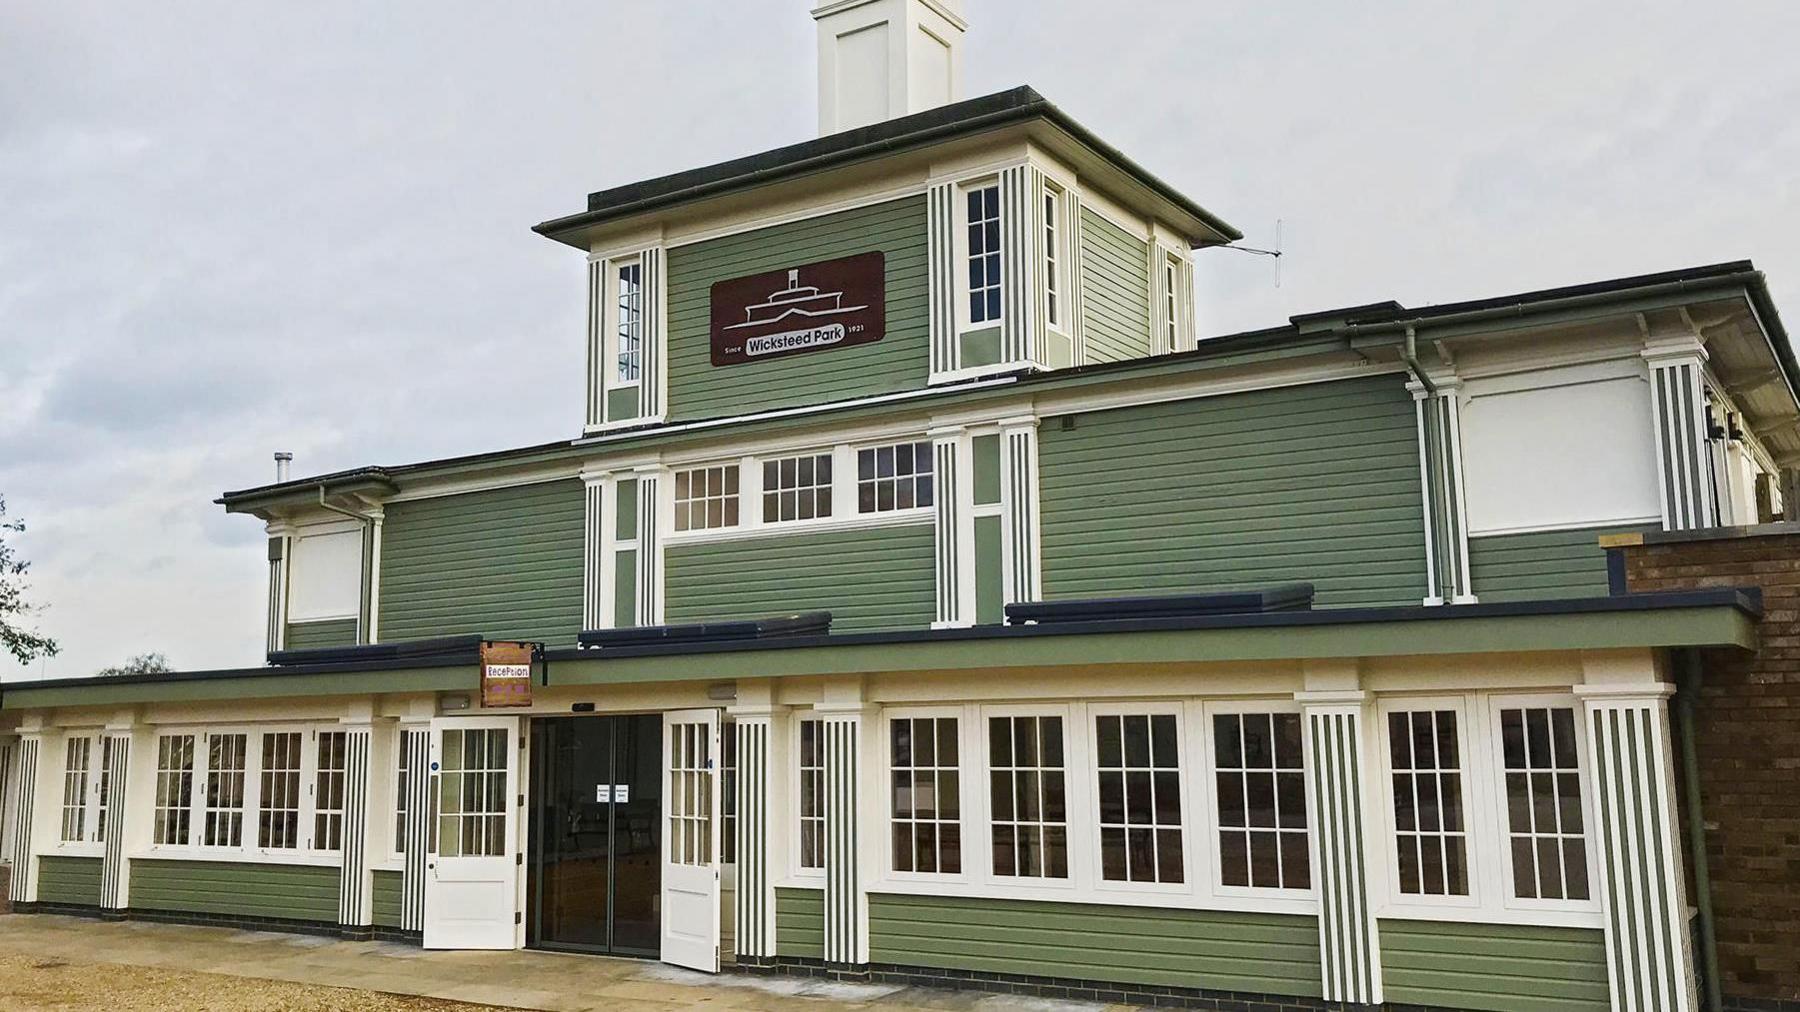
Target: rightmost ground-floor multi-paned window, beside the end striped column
[[1543, 804]]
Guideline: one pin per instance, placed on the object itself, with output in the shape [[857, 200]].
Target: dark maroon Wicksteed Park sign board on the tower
[[795, 311]]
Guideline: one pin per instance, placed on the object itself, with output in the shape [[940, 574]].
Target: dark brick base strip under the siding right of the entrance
[[1038, 986]]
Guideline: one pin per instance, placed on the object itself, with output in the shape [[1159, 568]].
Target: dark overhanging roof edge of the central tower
[[957, 120]]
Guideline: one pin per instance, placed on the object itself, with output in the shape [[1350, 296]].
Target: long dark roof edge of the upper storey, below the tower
[[1740, 271]]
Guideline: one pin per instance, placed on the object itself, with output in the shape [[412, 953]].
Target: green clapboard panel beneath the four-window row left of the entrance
[[287, 892]]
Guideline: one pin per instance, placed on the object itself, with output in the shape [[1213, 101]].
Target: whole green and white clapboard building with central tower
[[1282, 665]]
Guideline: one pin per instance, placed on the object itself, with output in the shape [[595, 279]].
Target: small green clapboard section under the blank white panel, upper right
[[1551, 565]]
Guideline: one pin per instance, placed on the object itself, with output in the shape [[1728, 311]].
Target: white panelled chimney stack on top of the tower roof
[[886, 59]]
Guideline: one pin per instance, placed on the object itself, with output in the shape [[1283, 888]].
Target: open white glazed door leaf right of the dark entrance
[[690, 840]]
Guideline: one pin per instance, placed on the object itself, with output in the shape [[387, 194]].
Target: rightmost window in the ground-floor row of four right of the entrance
[[1263, 800]]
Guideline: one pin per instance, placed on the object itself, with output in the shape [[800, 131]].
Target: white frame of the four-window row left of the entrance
[[249, 847]]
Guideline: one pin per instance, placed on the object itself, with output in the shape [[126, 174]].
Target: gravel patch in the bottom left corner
[[37, 984]]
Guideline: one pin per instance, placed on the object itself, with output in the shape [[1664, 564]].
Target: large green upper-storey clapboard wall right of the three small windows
[[1300, 483]]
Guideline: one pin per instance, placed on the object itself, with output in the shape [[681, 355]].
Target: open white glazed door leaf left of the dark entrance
[[471, 867]]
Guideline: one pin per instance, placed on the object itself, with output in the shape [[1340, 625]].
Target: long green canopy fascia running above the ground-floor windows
[[1666, 620]]
